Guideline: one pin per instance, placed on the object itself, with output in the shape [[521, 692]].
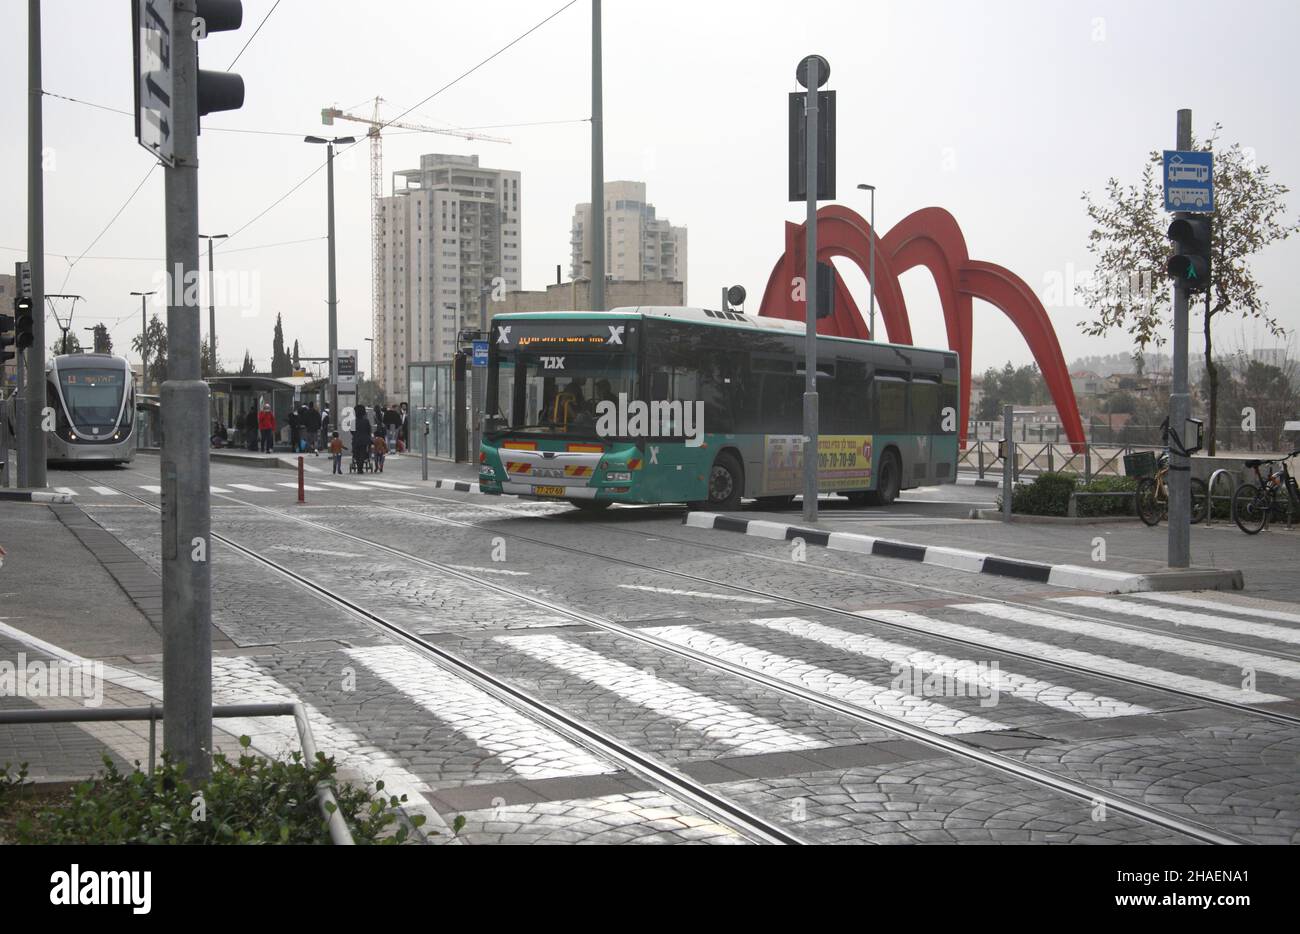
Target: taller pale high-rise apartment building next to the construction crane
[[448, 232]]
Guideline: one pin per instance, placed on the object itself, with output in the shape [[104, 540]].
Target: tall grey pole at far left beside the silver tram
[[33, 451]]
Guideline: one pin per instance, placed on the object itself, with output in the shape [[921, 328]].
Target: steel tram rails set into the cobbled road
[[664, 775]]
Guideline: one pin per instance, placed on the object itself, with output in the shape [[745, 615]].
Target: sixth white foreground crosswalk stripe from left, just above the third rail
[[1145, 673]]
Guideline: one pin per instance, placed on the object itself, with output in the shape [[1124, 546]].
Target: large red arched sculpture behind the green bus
[[931, 239]]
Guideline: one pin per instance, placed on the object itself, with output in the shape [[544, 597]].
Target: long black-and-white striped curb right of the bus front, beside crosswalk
[[974, 563]]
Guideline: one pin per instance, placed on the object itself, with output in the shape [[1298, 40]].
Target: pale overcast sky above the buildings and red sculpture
[[1000, 113]]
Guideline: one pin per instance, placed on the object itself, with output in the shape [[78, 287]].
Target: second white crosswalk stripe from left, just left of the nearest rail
[[526, 747]]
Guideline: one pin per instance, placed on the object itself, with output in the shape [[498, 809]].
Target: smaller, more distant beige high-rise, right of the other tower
[[638, 245]]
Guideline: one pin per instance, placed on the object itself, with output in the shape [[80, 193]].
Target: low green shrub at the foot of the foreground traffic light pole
[[250, 801]]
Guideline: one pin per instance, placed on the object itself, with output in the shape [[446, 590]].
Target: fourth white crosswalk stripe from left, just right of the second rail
[[883, 699]]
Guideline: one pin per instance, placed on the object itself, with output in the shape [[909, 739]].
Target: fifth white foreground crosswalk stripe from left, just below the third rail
[[1059, 697]]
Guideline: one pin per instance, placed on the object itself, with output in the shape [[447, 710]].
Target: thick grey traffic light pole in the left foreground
[[187, 520]]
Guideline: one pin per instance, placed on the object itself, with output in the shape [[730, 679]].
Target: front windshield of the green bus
[[556, 394]]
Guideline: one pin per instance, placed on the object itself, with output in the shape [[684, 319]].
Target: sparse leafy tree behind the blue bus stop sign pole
[[1129, 240]]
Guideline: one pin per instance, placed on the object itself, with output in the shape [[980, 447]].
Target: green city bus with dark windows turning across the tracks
[[658, 405]]
